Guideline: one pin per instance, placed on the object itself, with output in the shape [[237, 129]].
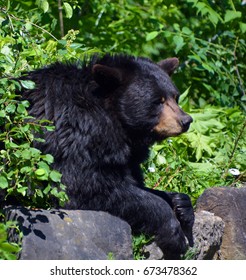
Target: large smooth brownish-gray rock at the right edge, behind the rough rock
[[229, 204]]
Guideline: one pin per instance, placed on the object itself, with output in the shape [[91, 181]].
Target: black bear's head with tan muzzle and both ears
[[143, 95]]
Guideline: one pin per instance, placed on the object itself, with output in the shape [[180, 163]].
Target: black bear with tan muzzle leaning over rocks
[[107, 113]]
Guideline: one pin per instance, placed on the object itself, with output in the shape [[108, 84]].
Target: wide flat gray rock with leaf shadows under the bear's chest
[[64, 235]]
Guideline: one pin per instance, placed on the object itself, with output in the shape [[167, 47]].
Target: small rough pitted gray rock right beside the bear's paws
[[207, 233]]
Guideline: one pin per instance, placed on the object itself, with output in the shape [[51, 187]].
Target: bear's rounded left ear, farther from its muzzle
[[106, 76]]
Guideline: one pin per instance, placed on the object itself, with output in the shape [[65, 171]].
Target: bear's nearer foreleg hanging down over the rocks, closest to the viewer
[[149, 214]]
